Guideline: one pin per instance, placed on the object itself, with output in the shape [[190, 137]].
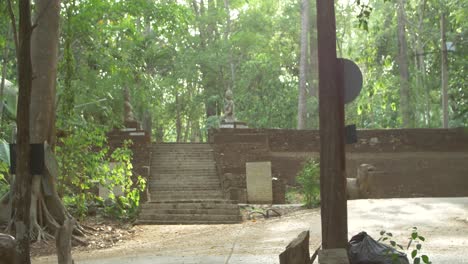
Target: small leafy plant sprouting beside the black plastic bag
[[415, 239]]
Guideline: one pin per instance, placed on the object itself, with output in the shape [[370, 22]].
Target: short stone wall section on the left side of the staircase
[[140, 147]]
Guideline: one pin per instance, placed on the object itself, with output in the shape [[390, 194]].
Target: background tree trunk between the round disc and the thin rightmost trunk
[[403, 67]]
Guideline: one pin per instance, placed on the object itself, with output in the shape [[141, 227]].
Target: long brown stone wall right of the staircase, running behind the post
[[402, 152]]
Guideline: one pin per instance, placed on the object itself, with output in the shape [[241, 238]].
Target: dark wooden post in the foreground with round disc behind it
[[331, 109]]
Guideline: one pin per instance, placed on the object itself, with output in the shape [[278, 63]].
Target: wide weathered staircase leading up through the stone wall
[[185, 189]]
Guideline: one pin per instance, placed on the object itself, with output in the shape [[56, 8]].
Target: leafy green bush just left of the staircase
[[86, 165]]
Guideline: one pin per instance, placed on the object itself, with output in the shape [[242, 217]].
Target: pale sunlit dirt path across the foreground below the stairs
[[444, 223]]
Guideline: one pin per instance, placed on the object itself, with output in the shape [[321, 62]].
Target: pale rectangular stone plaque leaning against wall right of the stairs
[[259, 182]]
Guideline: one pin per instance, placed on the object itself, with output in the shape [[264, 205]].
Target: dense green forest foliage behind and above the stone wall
[[179, 57]]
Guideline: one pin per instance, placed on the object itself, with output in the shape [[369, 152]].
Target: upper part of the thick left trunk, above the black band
[[44, 59]]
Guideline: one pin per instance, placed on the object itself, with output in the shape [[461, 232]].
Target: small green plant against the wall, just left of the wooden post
[[309, 179]]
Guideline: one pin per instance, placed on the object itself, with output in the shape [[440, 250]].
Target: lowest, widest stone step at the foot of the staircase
[[189, 217]]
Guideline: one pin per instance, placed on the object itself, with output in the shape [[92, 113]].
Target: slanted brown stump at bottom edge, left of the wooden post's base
[[297, 252]]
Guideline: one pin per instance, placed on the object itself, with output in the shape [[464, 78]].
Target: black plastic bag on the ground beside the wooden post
[[365, 250]]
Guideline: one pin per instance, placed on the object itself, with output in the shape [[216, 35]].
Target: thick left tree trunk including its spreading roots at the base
[[41, 121]]
